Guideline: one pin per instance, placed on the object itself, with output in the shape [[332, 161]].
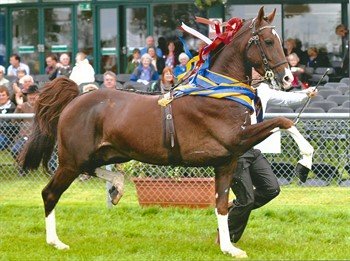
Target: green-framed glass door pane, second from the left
[[58, 31]]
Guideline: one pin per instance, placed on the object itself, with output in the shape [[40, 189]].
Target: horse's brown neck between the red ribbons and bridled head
[[231, 63]]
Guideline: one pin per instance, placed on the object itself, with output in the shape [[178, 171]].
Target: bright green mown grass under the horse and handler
[[301, 224]]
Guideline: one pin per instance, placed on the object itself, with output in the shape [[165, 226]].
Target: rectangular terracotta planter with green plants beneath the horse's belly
[[173, 186]]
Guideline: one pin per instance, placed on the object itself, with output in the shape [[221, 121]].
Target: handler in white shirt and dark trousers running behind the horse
[[254, 183]]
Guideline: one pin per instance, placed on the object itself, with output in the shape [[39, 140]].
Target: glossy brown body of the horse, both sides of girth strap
[[119, 126]]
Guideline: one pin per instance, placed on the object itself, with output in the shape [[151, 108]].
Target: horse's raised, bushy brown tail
[[54, 97]]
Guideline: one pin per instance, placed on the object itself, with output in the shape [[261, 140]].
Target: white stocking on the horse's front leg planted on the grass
[[225, 243]]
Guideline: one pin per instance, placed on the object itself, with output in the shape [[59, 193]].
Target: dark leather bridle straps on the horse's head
[[269, 74]]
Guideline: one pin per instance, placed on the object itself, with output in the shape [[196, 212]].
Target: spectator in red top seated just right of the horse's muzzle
[[298, 71]]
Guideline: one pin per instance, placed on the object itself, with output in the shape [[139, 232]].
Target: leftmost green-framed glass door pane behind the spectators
[[25, 37]]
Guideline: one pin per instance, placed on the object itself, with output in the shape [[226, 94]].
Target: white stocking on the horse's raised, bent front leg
[[306, 150]]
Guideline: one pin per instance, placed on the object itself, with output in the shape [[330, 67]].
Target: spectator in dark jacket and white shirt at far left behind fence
[[6, 129]]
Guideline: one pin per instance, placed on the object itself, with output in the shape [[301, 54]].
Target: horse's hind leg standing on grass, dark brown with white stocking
[[51, 194]]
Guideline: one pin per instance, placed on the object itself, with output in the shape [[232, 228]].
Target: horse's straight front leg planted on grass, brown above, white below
[[223, 179]]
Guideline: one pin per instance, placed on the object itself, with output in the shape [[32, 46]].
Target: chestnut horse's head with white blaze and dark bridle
[[264, 51]]
